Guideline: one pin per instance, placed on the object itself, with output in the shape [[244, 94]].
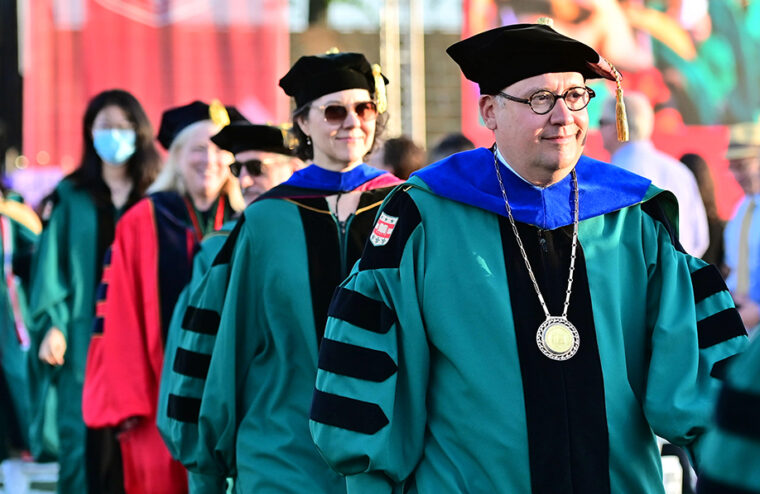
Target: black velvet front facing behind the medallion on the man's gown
[[568, 439]]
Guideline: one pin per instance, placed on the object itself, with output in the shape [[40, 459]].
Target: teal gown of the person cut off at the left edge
[[19, 229]]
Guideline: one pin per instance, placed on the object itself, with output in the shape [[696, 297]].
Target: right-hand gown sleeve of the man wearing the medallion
[[685, 366]]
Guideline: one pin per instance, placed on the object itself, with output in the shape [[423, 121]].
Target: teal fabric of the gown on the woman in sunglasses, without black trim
[[254, 402]]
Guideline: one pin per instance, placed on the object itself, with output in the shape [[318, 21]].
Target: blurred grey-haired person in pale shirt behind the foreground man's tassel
[[641, 157]]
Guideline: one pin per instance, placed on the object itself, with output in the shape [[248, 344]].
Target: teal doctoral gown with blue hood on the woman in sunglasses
[[237, 403]]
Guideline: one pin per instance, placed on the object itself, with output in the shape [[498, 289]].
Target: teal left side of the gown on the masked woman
[[63, 295]]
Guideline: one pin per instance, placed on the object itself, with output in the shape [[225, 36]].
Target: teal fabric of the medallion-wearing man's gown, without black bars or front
[[455, 404]]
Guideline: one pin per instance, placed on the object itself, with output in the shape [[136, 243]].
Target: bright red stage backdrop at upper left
[[165, 52]]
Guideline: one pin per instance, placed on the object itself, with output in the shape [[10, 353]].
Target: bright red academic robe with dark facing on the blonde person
[[150, 263]]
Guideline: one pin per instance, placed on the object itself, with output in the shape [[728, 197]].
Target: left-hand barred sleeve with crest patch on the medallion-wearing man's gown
[[368, 414]]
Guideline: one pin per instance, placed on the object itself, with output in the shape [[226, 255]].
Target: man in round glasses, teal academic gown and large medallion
[[523, 318]]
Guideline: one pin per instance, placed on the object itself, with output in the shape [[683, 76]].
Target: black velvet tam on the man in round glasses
[[500, 57]]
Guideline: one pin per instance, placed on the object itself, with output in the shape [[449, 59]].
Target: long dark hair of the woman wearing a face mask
[[142, 166]]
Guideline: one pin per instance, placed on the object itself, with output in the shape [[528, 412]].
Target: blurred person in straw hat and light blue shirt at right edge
[[742, 233]]
